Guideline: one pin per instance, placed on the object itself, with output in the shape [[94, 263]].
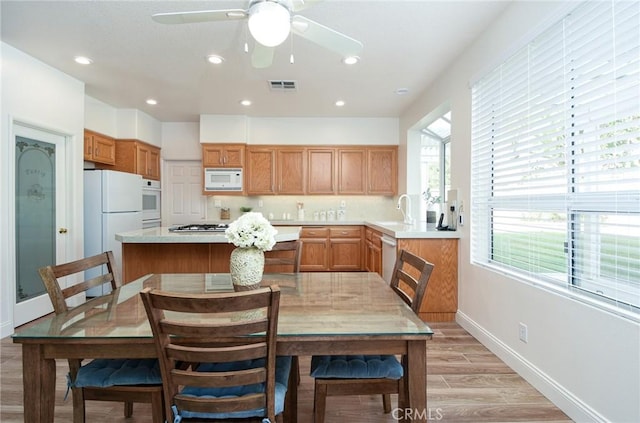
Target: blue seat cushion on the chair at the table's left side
[[114, 372]]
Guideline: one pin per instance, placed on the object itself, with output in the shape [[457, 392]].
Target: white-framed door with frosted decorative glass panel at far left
[[40, 216]]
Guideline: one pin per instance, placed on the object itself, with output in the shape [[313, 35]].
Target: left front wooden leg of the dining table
[[39, 382]]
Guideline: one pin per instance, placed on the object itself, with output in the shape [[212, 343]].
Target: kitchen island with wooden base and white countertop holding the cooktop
[[159, 250]]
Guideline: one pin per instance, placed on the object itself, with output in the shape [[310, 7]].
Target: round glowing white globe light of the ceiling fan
[[269, 23]]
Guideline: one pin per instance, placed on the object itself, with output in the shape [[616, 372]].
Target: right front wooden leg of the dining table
[[416, 380]]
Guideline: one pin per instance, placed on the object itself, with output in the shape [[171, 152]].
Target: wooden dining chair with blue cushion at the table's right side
[[372, 374]]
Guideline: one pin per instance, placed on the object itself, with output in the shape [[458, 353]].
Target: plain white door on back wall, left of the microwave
[[184, 202]]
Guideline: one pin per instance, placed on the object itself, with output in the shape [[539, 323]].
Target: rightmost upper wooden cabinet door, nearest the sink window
[[382, 169]]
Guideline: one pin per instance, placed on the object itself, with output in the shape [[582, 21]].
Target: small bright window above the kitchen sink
[[435, 159]]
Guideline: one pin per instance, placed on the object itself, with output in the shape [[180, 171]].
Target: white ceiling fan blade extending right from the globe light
[[325, 36]]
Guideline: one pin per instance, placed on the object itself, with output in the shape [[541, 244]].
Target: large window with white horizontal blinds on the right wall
[[556, 157]]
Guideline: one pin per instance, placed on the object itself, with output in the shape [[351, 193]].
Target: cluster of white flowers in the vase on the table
[[252, 229]]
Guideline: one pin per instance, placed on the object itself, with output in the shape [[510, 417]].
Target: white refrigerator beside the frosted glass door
[[112, 204]]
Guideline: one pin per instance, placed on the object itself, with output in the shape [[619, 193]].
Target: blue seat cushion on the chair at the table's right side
[[356, 367]]
